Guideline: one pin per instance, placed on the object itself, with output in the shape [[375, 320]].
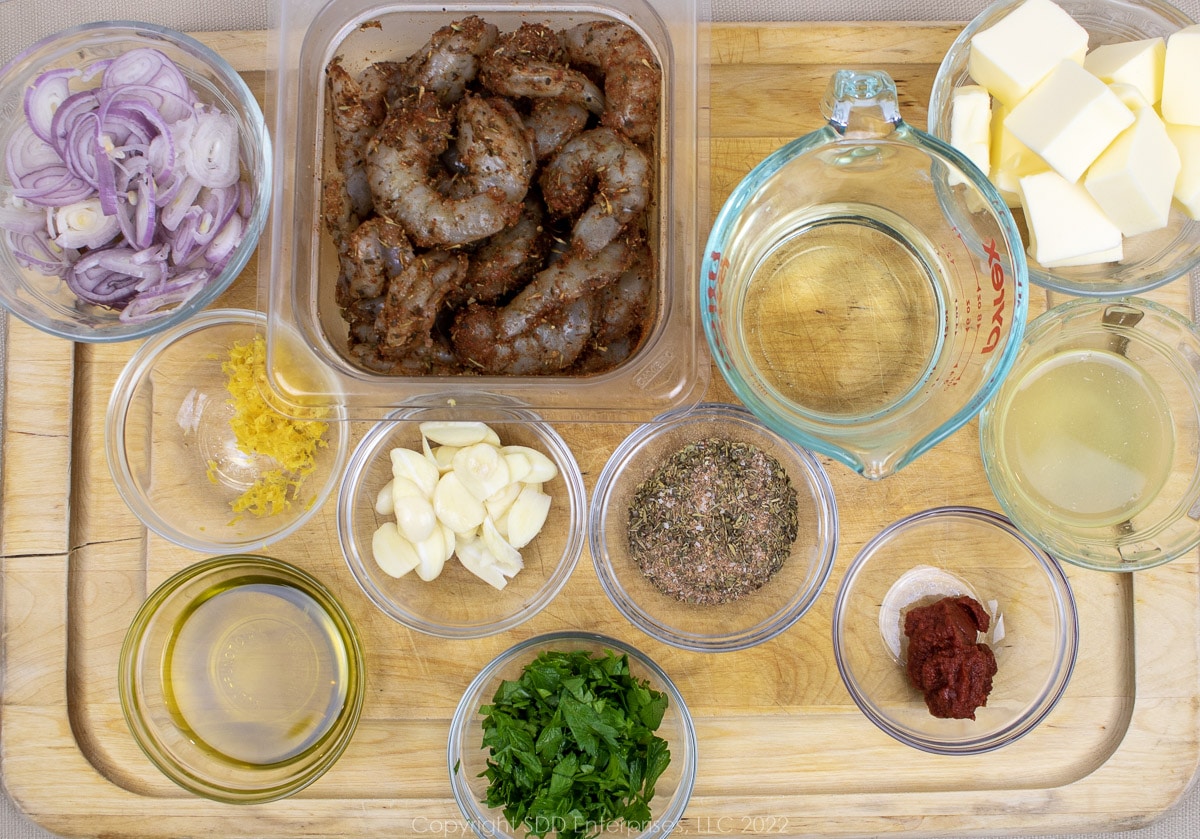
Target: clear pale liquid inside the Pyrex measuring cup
[[843, 317]]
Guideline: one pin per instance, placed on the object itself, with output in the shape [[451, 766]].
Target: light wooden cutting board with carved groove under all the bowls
[[782, 747]]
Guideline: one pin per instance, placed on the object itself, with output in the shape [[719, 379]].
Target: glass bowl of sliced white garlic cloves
[[463, 522]]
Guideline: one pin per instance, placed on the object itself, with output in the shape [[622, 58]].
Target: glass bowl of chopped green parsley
[[569, 736]]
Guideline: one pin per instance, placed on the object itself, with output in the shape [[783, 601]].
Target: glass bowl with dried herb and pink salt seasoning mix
[[711, 532]]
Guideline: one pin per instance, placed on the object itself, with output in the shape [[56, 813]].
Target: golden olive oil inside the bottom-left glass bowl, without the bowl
[[257, 673]]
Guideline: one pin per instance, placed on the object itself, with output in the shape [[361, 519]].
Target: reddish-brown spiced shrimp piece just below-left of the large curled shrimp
[[415, 299]]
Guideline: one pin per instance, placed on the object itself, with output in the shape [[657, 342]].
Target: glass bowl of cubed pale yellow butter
[[1084, 116]]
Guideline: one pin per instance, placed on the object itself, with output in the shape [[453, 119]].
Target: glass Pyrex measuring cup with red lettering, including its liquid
[[865, 289]]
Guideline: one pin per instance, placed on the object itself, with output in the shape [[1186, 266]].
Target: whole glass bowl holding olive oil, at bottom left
[[242, 679]]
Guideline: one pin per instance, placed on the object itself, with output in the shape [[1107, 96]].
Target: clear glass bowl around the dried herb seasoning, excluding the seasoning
[[755, 616]]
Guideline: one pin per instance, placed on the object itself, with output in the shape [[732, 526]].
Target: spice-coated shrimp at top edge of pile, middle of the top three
[[529, 64]]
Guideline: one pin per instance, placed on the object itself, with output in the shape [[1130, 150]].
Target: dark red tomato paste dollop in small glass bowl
[[945, 662]]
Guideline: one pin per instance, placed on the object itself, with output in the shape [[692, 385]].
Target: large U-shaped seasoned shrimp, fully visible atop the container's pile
[[406, 151]]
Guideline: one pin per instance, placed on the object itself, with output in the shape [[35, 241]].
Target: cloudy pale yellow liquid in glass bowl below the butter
[[1089, 438]]
